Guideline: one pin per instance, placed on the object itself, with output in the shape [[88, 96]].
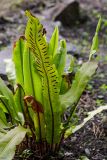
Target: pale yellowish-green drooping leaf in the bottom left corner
[[9, 142]]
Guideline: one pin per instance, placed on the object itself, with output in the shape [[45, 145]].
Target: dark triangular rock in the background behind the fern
[[69, 14]]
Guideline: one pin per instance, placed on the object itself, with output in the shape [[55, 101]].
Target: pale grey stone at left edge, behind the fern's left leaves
[[4, 54]]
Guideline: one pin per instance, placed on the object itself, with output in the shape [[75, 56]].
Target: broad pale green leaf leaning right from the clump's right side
[[81, 79]]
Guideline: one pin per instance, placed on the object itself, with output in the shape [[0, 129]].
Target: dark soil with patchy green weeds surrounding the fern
[[91, 141]]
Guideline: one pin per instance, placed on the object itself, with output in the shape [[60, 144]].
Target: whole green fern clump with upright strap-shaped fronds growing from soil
[[42, 93]]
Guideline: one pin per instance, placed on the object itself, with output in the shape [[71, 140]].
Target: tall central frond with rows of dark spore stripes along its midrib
[[49, 76]]
